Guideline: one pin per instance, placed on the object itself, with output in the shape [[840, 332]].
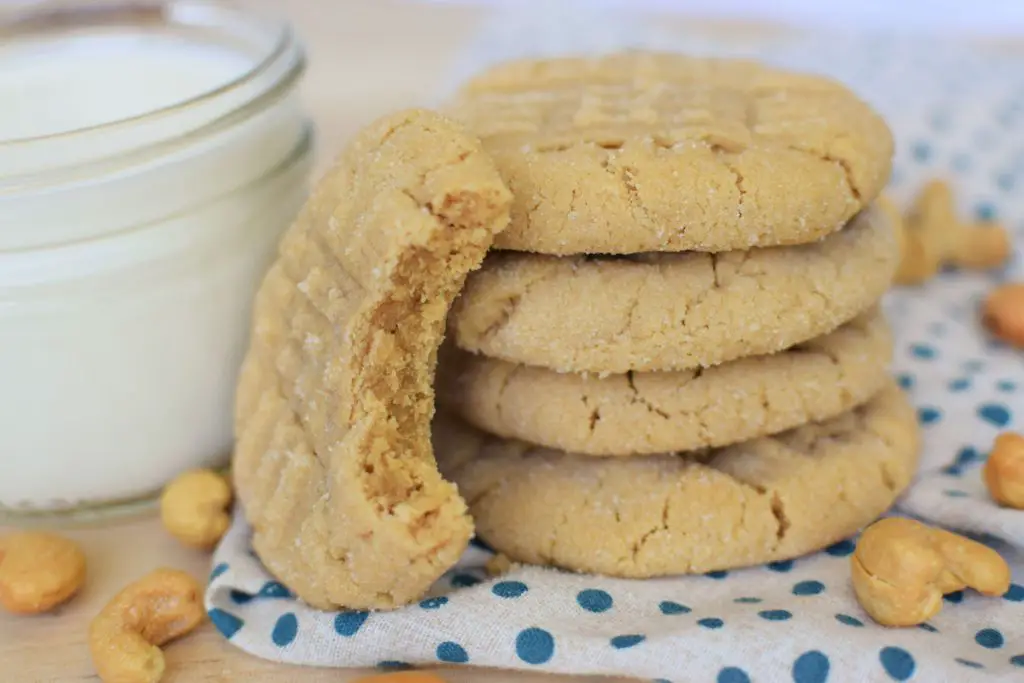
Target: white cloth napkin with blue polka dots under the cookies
[[957, 113]]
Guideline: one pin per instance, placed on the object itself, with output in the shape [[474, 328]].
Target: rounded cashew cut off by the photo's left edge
[[38, 572]]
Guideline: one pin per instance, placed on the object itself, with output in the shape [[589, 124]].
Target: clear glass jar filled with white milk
[[151, 156]]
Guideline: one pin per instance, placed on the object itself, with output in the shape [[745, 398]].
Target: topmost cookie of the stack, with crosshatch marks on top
[[655, 152]]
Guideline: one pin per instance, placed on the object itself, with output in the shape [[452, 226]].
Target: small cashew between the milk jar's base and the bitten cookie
[[194, 508]]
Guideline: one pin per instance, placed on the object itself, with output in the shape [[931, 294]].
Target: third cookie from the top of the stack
[[647, 413]]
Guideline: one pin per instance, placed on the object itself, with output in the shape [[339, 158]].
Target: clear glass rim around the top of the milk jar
[[47, 16]]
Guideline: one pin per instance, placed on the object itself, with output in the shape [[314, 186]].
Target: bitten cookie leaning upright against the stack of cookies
[[333, 461]]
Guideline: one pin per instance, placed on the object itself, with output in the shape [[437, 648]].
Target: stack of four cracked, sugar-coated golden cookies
[[674, 360]]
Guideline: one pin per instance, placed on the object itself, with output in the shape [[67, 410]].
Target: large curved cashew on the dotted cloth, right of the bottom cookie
[[902, 569]]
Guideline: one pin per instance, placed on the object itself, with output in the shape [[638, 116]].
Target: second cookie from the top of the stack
[[672, 312]]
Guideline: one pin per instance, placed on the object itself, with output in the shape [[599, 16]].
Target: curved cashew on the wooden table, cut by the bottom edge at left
[[124, 638]]
